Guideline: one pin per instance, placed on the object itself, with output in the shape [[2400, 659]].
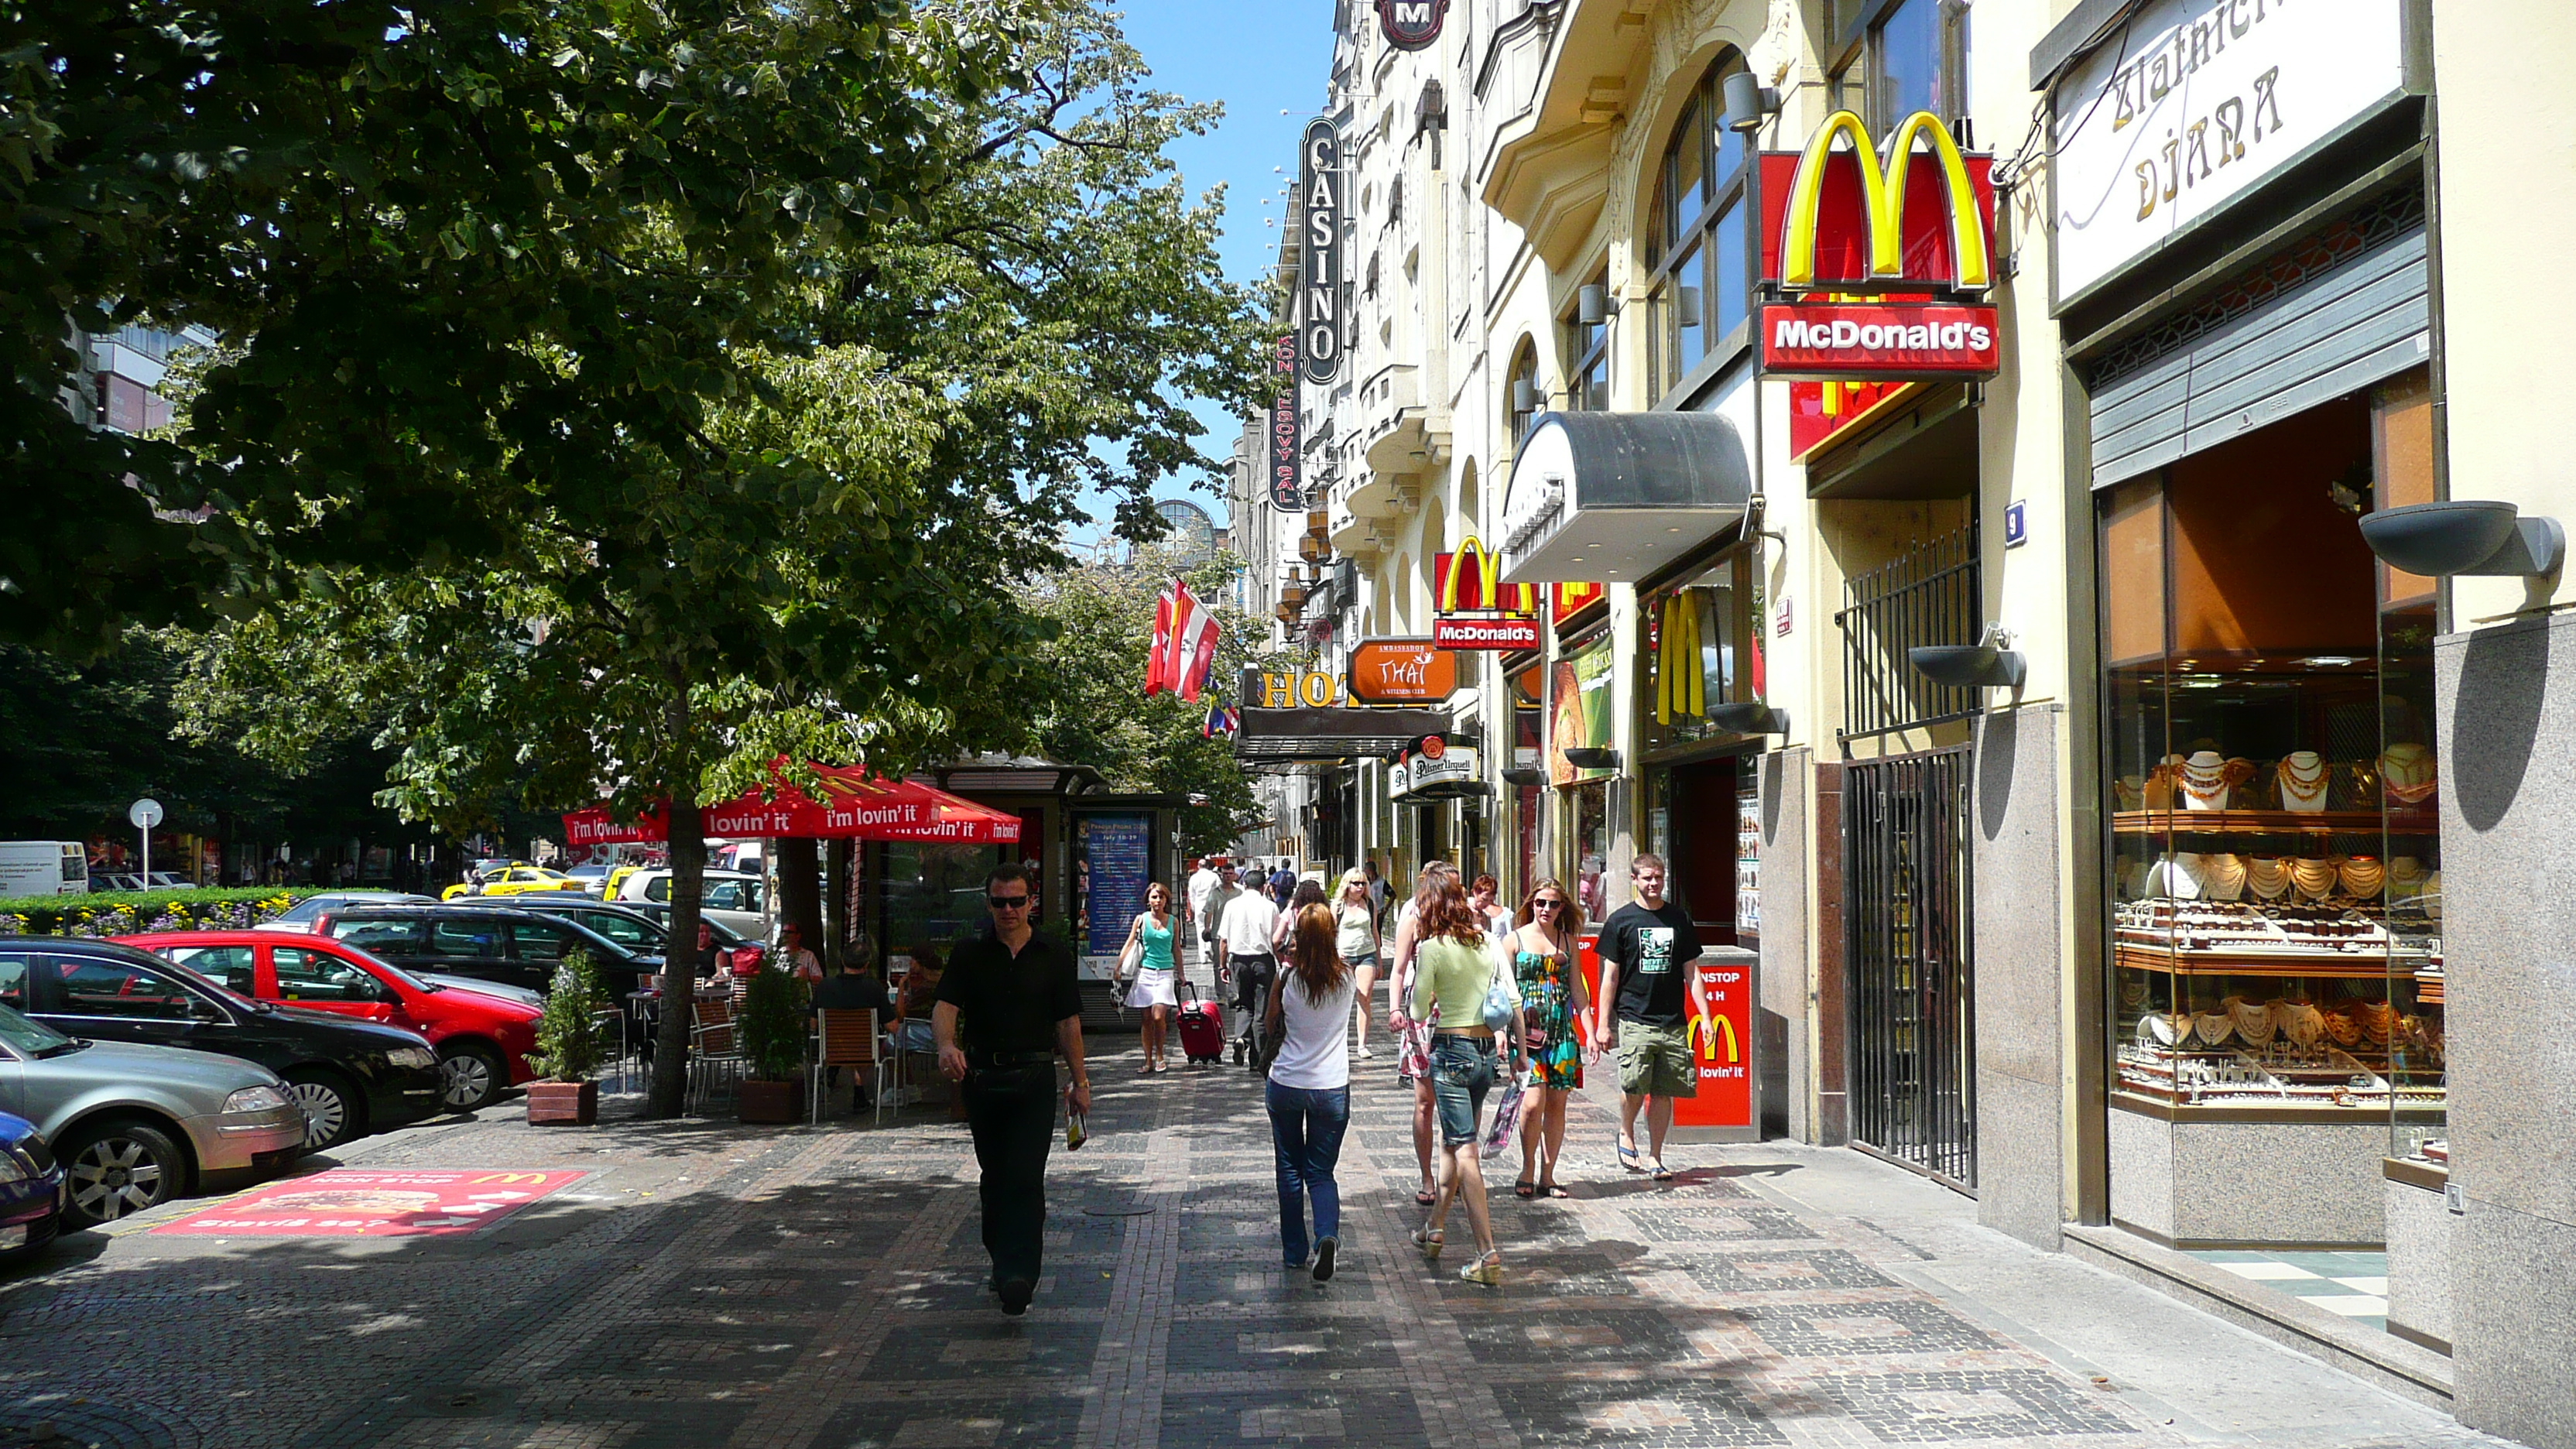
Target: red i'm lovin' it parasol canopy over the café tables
[[854, 808]]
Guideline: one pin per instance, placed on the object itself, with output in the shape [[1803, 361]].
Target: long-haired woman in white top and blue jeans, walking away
[[1310, 1087]]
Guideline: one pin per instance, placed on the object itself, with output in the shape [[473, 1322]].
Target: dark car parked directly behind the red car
[[486, 942]]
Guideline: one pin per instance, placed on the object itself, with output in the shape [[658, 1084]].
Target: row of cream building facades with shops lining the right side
[[2121, 831]]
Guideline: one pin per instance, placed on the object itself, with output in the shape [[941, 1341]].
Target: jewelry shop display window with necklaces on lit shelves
[[2273, 842]]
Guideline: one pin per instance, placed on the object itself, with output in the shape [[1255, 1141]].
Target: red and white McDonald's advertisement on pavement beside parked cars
[[349, 1203]]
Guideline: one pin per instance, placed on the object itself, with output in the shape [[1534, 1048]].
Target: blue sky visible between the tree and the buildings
[[1258, 58]]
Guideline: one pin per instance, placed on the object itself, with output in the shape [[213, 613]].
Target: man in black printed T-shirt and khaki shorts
[[1650, 963]]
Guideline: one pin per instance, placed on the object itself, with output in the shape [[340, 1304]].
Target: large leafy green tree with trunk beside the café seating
[[738, 496]]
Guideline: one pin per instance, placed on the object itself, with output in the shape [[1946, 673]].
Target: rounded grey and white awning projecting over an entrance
[[1616, 496]]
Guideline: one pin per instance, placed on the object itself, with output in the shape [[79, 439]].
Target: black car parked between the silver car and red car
[[349, 1076]]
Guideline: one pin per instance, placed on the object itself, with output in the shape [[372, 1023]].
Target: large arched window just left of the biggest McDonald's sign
[[1699, 251]]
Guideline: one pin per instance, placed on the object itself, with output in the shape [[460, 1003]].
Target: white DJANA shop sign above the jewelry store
[[2193, 107]]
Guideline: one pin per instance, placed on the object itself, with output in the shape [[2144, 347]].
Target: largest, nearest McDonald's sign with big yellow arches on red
[[1879, 264]]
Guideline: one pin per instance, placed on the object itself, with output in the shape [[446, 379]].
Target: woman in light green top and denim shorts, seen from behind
[[1454, 973]]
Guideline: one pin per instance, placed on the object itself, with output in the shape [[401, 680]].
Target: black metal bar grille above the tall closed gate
[[1928, 597]]
